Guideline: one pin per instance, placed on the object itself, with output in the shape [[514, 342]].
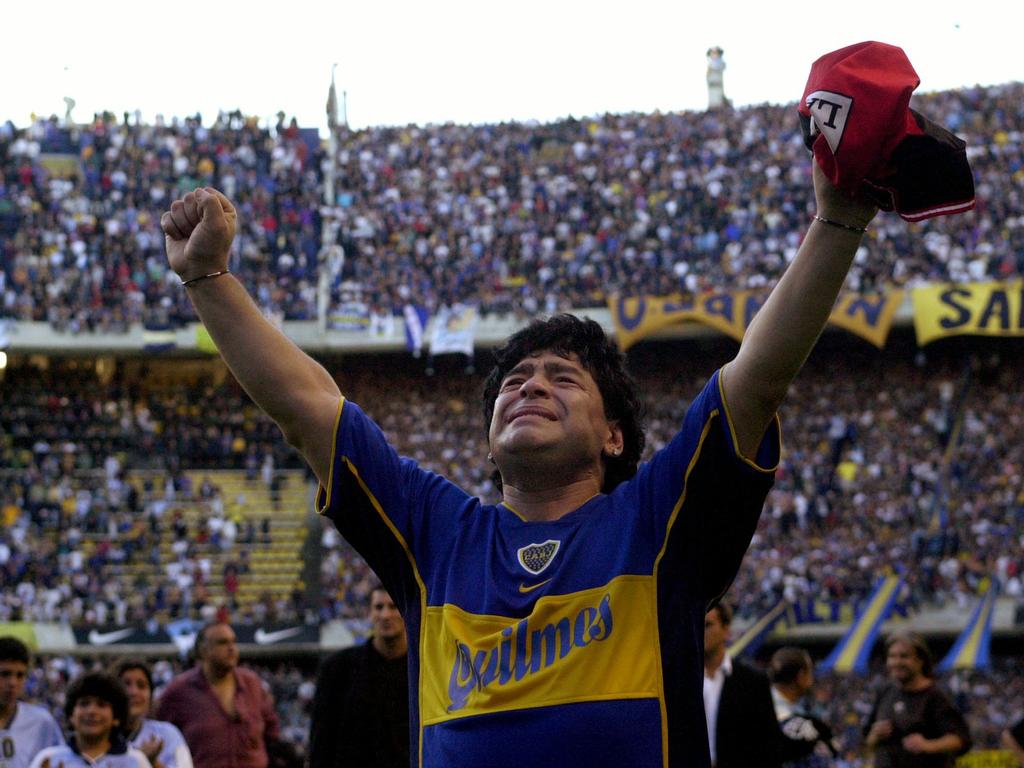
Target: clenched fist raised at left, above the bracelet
[[199, 232]]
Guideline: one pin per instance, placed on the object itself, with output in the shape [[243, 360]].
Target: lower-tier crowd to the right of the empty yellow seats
[[865, 478]]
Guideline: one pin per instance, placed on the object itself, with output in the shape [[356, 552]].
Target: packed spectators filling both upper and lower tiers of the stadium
[[898, 457]]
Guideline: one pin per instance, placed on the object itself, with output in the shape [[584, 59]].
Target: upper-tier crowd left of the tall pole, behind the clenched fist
[[80, 242]]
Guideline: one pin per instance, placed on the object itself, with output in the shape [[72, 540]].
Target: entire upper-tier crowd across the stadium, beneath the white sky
[[510, 218]]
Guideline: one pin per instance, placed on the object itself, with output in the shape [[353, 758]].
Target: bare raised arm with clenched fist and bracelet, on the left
[[291, 388]]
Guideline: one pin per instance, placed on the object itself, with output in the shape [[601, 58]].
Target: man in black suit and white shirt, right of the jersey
[[743, 729]]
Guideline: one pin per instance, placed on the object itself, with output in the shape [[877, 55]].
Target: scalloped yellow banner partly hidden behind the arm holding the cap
[[870, 317]]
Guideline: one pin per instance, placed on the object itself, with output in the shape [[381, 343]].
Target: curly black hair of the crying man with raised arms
[[567, 334]]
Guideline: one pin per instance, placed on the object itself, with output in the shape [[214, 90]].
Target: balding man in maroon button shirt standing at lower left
[[224, 711]]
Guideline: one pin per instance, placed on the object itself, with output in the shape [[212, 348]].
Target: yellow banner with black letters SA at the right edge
[[968, 310]]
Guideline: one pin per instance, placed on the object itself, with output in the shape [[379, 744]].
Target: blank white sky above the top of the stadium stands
[[470, 61]]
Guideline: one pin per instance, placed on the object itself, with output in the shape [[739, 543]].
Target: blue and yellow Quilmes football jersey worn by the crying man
[[575, 643]]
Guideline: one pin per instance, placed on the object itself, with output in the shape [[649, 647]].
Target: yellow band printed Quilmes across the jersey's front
[[586, 647]]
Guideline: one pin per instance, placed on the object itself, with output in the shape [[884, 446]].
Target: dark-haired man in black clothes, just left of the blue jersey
[[361, 709]]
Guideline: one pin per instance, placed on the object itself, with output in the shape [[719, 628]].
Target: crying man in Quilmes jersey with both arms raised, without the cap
[[565, 625]]
